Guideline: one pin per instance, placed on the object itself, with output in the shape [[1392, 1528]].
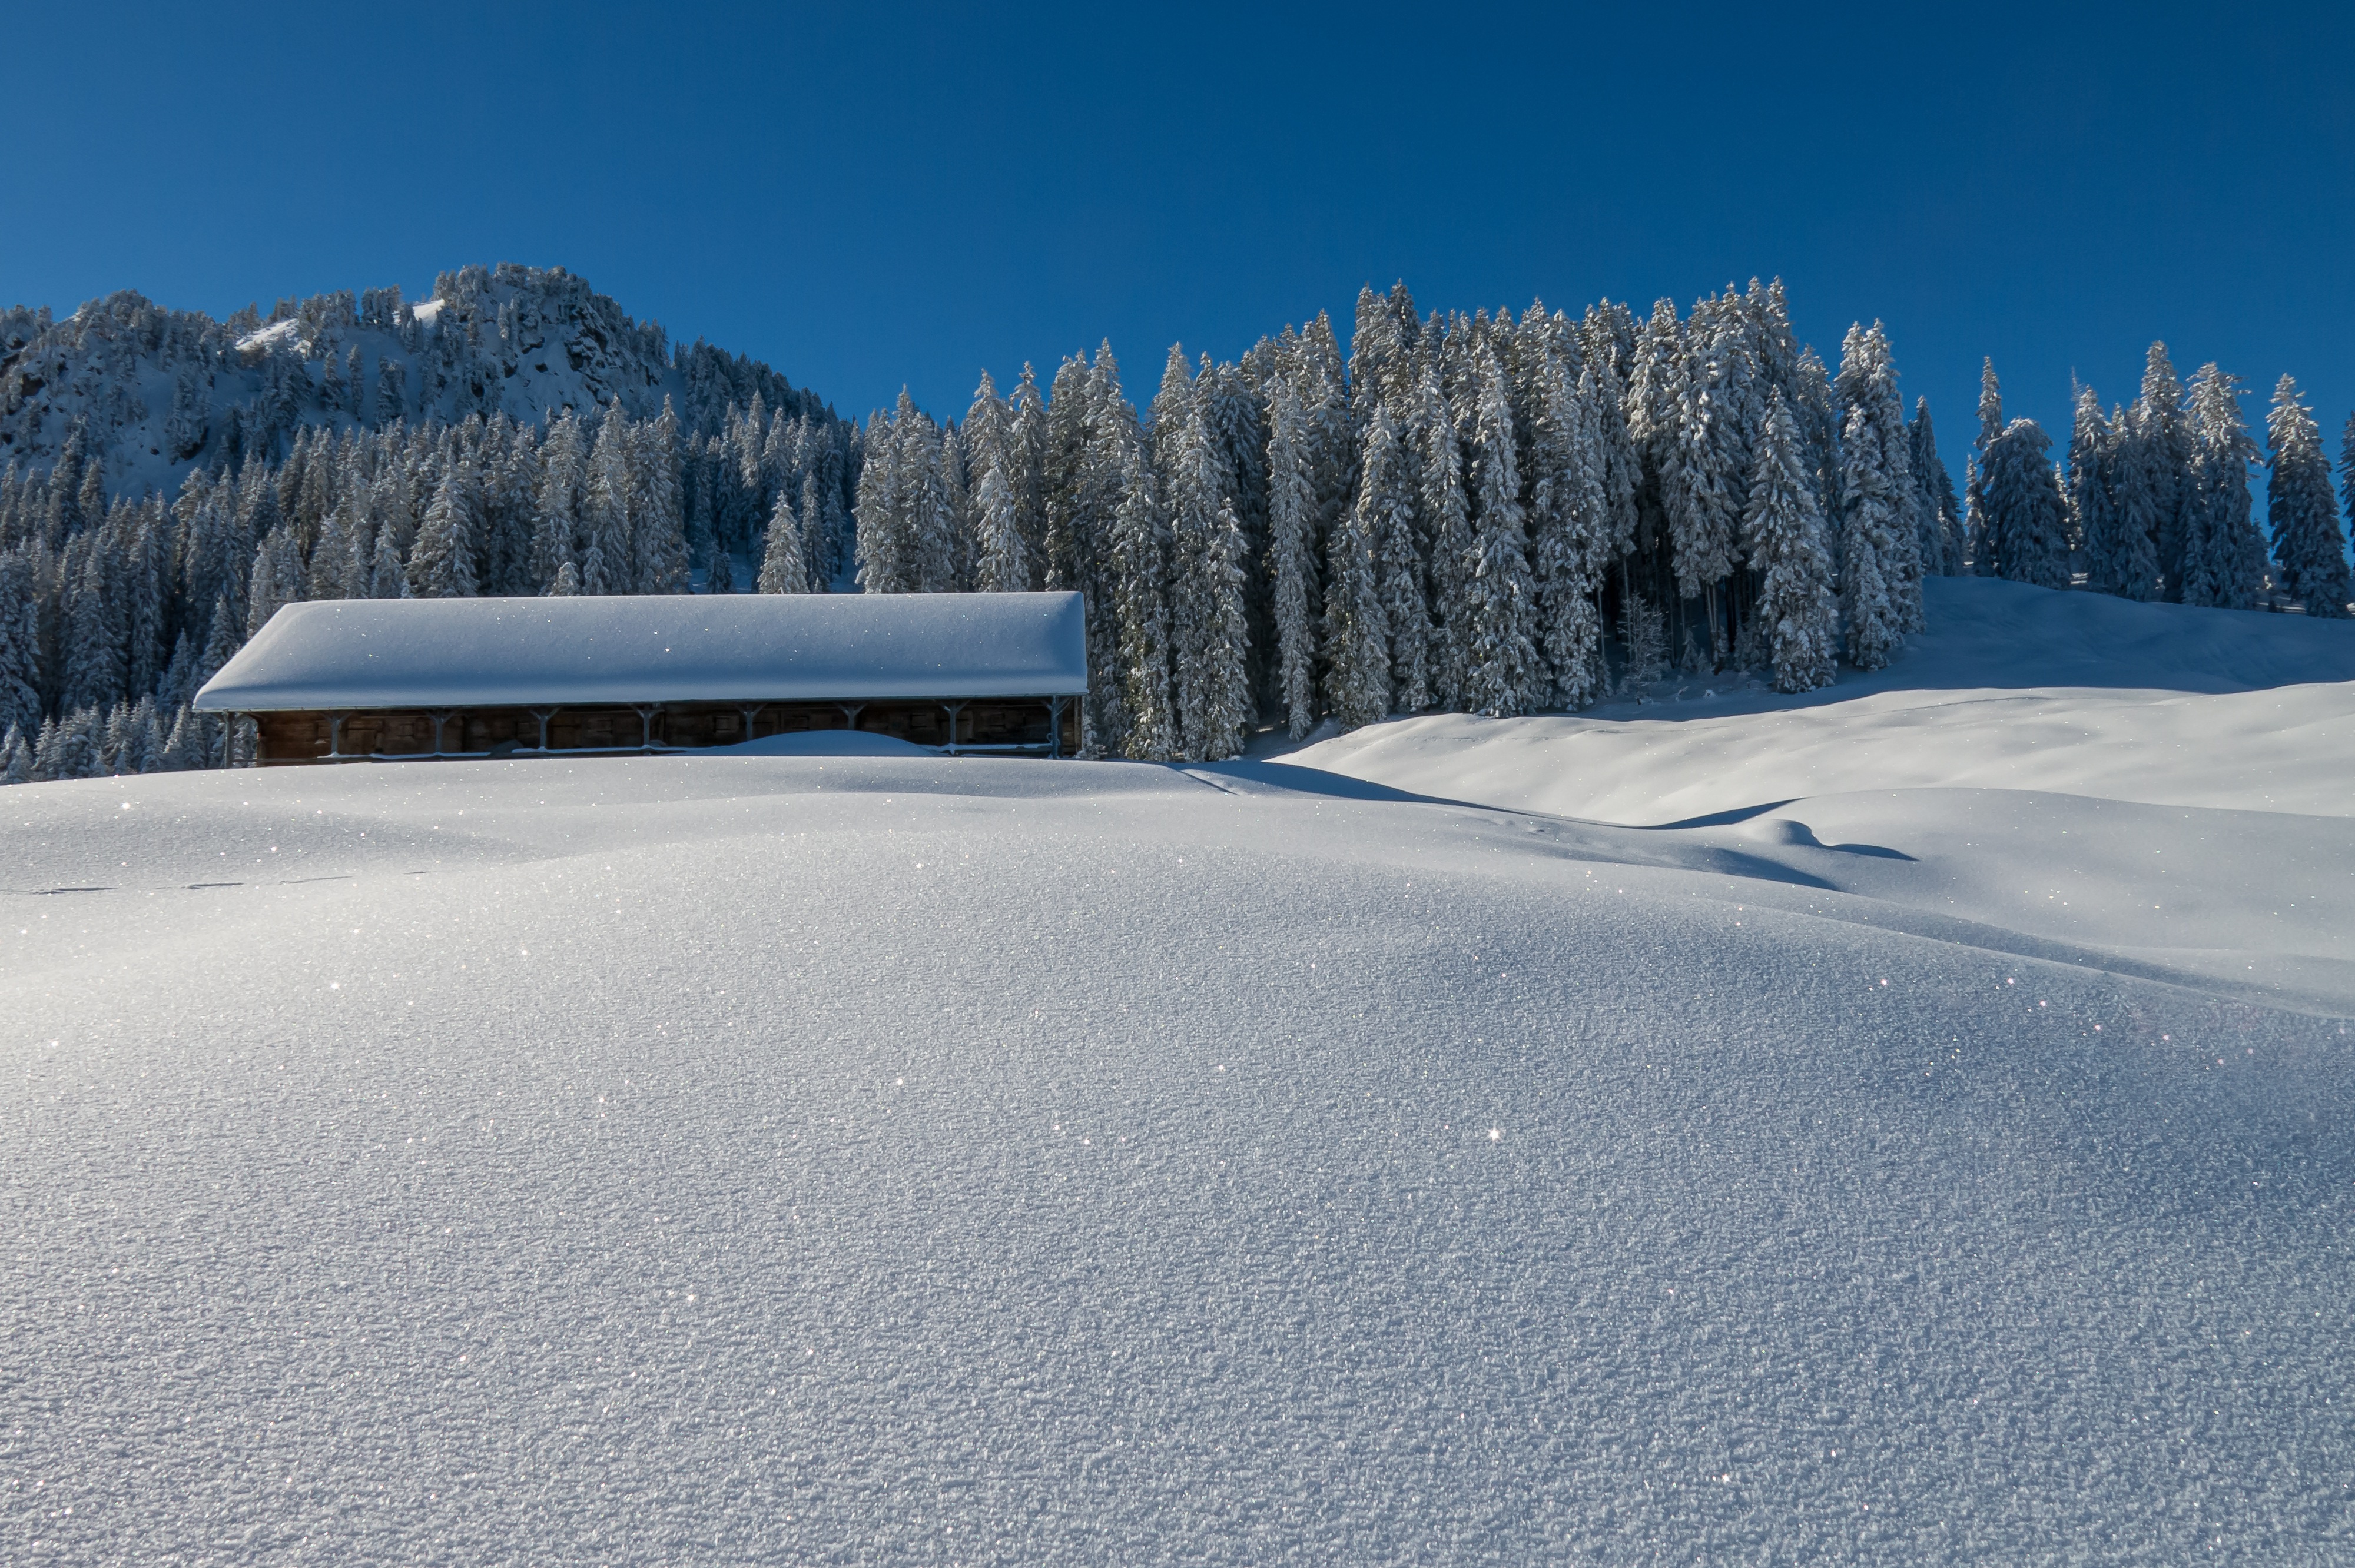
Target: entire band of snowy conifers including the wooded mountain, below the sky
[[1492, 514]]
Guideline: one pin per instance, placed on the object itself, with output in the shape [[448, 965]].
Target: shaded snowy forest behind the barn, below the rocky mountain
[[117, 611]]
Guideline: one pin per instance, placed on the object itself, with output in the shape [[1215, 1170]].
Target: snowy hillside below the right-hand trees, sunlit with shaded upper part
[[2012, 689]]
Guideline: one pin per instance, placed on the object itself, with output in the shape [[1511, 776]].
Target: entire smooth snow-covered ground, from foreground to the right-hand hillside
[[1932, 1148]]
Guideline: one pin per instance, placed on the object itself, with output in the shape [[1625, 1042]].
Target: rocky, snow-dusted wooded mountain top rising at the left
[[166, 390]]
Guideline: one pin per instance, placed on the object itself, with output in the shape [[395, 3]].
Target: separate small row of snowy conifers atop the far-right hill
[[2154, 498]]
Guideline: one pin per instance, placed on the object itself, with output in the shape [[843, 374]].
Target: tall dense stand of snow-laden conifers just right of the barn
[[1466, 514]]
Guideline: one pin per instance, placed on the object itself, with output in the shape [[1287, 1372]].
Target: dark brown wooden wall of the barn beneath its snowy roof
[[1021, 726]]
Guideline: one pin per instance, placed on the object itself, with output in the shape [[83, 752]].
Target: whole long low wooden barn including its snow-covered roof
[[380, 679]]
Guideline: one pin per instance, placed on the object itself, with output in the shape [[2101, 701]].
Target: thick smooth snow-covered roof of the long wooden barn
[[446, 653]]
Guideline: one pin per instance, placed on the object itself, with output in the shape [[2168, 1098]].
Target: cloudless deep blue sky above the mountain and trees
[[870, 194]]
